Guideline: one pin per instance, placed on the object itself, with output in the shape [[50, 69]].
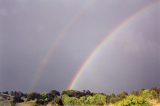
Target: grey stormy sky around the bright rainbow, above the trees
[[29, 30]]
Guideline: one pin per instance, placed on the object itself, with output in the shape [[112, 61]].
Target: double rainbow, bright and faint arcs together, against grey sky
[[95, 51]]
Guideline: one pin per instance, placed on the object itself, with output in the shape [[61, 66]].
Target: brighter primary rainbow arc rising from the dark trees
[[108, 38]]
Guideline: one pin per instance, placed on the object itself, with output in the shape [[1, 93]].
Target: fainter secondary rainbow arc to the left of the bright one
[[61, 36]]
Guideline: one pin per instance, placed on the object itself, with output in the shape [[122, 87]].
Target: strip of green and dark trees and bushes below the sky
[[143, 97]]
